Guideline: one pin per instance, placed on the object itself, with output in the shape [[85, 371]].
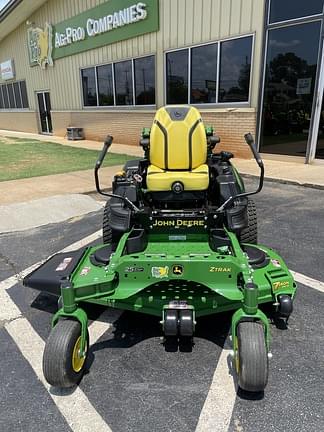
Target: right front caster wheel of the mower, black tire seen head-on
[[252, 359]]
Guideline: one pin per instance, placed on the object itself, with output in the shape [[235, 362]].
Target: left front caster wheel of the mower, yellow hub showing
[[63, 363]]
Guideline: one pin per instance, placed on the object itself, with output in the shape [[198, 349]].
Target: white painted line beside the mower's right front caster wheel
[[218, 407]]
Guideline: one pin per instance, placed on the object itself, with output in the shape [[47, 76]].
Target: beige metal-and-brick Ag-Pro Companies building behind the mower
[[105, 66]]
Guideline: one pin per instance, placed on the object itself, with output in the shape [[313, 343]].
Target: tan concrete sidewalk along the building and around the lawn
[[83, 181]]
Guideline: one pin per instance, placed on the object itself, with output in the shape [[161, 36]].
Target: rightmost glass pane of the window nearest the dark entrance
[[235, 68]]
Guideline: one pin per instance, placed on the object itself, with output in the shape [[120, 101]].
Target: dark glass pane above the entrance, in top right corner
[[282, 10]]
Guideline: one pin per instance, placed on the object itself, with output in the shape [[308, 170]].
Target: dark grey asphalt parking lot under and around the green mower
[[133, 384]]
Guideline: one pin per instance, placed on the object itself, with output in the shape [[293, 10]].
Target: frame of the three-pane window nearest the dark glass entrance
[[216, 104]]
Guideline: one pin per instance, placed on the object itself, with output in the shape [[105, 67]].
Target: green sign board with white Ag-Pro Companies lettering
[[110, 22]]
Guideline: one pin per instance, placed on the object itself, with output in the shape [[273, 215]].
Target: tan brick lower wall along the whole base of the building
[[126, 127]]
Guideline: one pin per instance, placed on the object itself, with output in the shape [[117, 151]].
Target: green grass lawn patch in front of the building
[[22, 158]]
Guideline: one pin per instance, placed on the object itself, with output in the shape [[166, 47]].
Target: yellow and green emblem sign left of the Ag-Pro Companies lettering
[[40, 46]]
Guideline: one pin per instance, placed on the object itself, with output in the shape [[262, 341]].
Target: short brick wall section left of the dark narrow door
[[23, 121]]
